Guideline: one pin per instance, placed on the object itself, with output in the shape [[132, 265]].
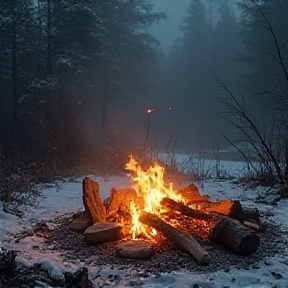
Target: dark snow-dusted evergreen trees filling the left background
[[62, 62]]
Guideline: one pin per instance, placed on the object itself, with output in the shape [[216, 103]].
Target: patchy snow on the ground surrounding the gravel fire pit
[[66, 197]]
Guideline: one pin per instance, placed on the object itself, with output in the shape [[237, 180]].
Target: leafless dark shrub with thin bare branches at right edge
[[270, 148]]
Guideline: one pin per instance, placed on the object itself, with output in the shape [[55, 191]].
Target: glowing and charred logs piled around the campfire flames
[[225, 222]]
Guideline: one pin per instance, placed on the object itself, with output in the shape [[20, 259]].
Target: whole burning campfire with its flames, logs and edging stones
[[152, 210]]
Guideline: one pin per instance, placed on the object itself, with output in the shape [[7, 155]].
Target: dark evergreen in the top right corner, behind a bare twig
[[260, 53]]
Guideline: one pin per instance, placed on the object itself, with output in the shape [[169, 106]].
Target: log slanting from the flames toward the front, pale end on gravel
[[182, 240]]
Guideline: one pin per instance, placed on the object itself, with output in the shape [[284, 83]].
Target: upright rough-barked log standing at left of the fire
[[92, 201]]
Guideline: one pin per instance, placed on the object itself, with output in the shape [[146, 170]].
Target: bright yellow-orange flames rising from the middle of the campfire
[[150, 187]]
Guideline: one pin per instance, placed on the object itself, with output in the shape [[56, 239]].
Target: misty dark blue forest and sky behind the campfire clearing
[[77, 77]]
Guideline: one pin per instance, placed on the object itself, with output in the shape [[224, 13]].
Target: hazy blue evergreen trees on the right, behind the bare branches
[[233, 43]]
